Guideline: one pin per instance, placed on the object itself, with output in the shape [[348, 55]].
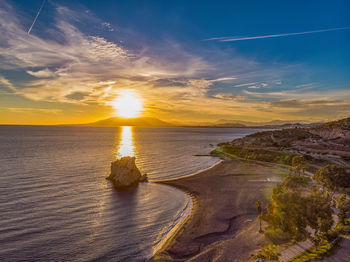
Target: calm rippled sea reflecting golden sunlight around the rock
[[55, 203]]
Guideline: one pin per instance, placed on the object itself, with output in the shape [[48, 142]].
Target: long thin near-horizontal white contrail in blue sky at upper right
[[232, 39]]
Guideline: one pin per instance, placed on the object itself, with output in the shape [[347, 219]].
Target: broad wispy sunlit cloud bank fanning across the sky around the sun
[[63, 64]]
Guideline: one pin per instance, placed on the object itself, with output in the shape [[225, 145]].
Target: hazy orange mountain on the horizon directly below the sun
[[139, 121]]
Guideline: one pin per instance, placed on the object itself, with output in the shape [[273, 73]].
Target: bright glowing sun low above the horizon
[[128, 105]]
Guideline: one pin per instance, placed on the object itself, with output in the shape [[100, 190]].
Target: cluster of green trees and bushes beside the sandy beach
[[300, 209]]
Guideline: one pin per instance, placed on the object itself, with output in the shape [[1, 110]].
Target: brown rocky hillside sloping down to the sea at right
[[325, 141]]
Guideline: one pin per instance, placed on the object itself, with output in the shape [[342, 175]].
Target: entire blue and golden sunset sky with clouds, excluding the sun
[[189, 61]]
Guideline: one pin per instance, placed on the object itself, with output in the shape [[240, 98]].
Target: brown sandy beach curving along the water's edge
[[223, 224]]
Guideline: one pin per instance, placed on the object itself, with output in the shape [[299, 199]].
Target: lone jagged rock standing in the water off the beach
[[124, 173]]
